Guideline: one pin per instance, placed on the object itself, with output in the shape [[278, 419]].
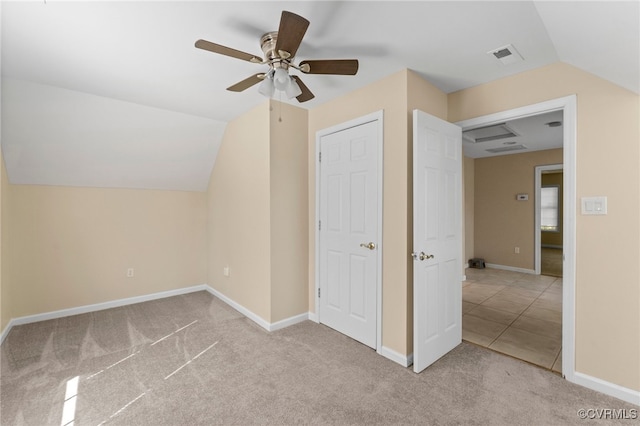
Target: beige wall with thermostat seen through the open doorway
[[501, 222]]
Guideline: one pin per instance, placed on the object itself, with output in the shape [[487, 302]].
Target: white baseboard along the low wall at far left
[[97, 307]]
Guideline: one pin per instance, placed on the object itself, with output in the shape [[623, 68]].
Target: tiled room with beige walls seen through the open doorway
[[506, 306]]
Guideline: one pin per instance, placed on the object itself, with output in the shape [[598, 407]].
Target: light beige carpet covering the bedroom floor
[[192, 360]]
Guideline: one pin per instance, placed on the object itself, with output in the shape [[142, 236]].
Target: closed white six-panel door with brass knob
[[348, 234]]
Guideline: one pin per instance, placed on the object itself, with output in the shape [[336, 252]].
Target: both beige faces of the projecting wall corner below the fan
[[257, 209]]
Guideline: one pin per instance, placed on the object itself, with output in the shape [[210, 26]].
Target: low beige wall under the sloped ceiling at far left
[[72, 246]]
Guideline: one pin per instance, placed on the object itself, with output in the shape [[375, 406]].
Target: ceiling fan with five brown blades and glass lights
[[279, 48]]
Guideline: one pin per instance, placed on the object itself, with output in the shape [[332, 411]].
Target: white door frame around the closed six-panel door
[[377, 117]]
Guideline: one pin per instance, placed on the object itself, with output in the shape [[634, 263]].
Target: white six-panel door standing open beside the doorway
[[437, 238]]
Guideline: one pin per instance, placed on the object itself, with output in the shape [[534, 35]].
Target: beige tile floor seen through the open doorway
[[514, 313]]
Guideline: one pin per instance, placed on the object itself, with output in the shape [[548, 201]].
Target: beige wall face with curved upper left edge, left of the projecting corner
[[239, 213]]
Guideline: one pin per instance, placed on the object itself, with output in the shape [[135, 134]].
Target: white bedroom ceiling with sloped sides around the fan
[[137, 59]]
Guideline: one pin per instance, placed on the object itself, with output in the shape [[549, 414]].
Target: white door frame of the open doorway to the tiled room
[[568, 105]]
